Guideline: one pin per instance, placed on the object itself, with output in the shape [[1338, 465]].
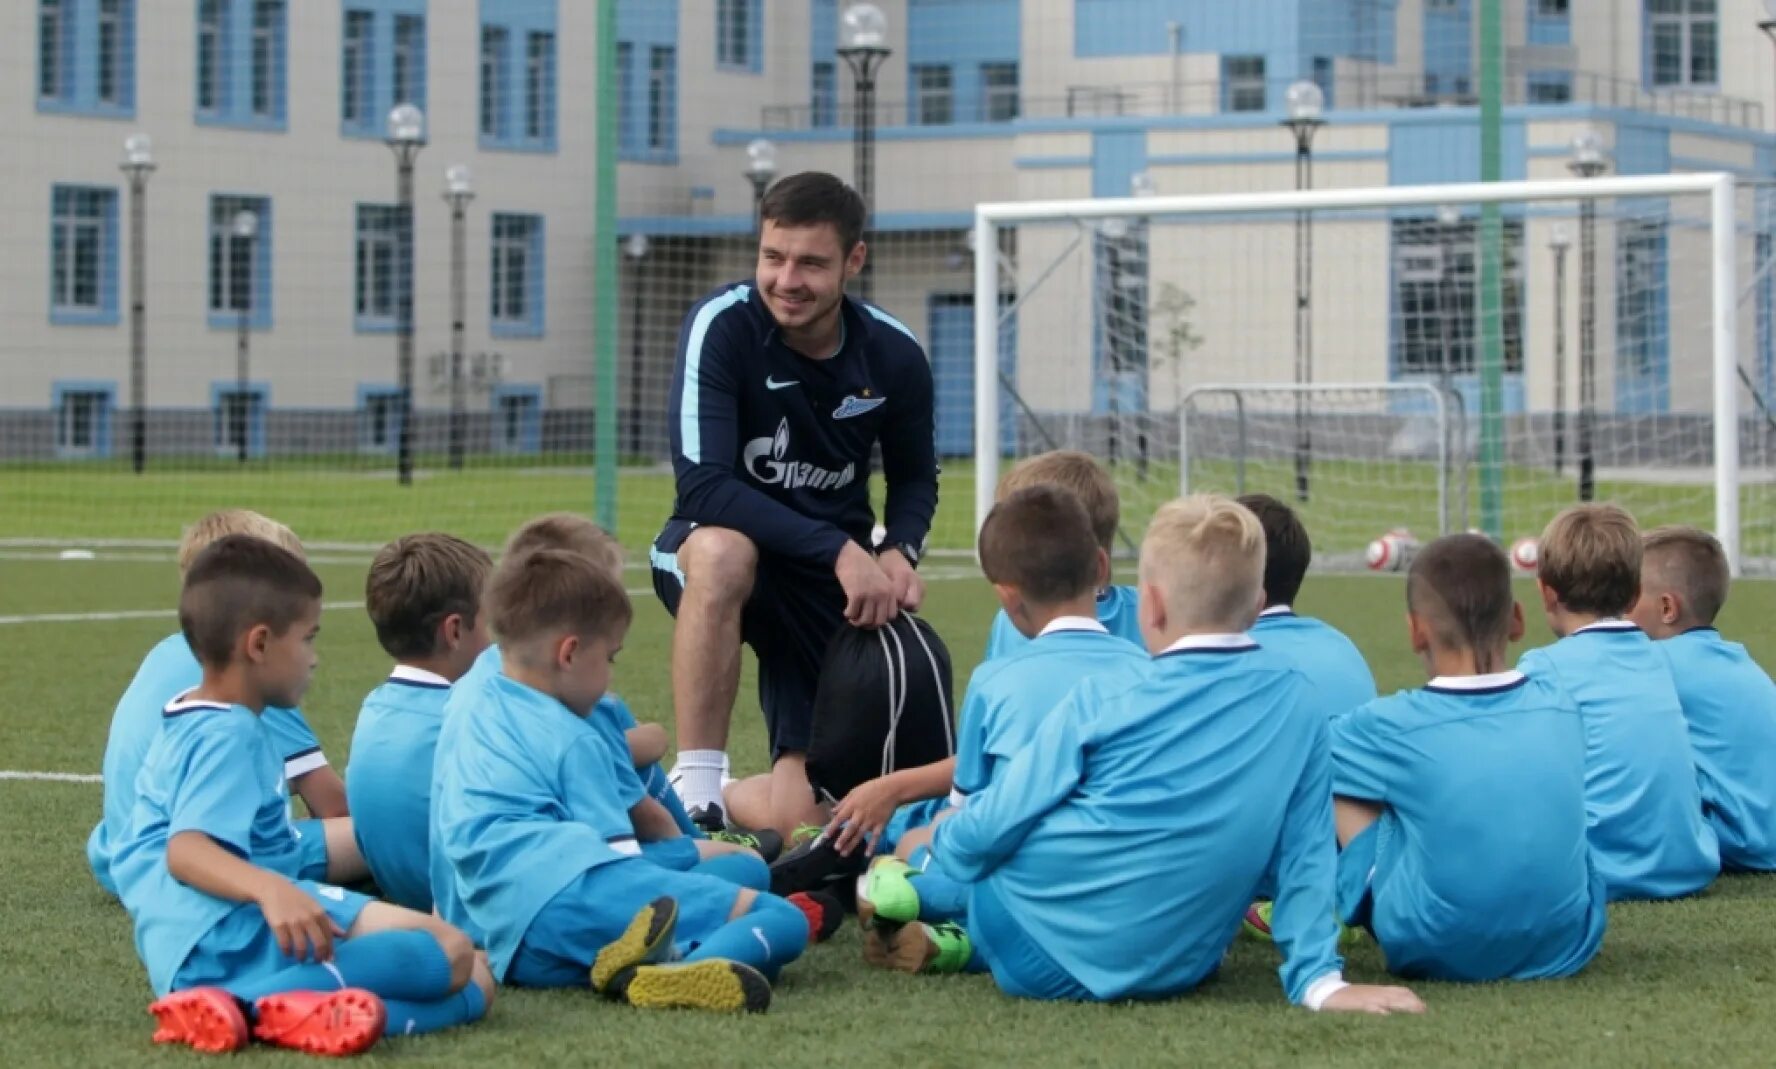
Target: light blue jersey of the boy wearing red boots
[[214, 770]]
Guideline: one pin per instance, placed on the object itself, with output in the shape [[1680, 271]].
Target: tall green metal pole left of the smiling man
[[605, 276]]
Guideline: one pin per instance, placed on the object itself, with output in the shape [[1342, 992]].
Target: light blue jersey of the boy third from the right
[[1480, 869]]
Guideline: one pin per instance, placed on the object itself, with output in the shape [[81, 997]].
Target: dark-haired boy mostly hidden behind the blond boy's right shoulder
[[1335, 669]]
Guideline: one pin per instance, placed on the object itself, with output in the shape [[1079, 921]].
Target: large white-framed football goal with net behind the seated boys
[[1423, 358]]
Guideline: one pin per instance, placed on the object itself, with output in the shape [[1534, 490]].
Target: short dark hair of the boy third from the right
[[1461, 585]]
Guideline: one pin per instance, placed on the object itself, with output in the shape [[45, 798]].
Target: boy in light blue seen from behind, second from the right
[[1642, 800]]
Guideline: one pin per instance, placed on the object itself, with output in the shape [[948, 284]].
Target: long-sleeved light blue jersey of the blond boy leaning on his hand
[[1130, 835]]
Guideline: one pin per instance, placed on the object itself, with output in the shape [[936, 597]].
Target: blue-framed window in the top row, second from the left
[[242, 63]]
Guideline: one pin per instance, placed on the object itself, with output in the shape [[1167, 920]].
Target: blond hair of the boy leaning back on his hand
[[1207, 555]]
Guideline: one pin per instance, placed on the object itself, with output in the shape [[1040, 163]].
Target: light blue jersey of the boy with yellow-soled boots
[[523, 805]]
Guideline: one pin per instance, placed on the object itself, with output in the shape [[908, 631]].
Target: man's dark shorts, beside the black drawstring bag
[[789, 621]]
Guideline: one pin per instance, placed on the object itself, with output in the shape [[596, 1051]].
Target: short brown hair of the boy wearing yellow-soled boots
[[555, 592]]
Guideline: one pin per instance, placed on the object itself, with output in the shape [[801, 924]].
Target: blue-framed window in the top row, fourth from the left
[[518, 75]]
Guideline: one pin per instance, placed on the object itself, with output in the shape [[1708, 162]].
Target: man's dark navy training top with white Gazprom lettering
[[777, 445]]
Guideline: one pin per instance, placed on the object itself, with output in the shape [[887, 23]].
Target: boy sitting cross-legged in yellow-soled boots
[[541, 848]]
